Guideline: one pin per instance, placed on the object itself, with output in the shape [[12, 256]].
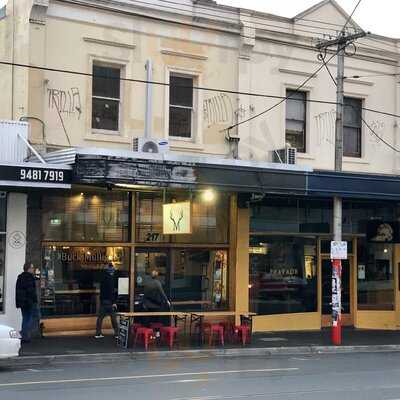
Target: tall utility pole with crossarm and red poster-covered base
[[338, 248]]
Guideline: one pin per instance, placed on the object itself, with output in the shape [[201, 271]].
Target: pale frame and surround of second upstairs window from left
[[196, 128]]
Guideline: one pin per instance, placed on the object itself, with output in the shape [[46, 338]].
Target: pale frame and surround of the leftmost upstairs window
[[111, 63]]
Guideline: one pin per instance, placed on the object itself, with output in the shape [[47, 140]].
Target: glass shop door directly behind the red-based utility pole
[[326, 273]]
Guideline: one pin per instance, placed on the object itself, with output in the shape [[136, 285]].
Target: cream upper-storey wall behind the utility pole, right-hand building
[[286, 66]]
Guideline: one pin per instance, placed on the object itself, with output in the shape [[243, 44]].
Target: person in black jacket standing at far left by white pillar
[[26, 299]]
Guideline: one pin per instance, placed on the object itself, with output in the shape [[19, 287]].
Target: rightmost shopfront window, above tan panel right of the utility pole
[[375, 276]]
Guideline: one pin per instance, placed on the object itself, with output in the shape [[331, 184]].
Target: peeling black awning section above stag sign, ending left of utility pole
[[105, 170]]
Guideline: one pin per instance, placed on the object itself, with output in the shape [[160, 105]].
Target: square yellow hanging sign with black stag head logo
[[177, 218]]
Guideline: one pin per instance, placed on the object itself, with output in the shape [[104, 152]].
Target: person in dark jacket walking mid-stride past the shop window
[[107, 301]]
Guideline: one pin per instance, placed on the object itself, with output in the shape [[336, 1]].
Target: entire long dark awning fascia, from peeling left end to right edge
[[106, 170]]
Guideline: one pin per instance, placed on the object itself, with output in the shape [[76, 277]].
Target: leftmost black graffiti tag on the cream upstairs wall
[[67, 102]]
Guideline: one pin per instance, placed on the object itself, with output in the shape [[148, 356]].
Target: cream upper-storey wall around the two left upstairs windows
[[74, 39]]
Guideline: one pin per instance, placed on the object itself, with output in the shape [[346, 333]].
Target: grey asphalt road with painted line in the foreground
[[346, 376]]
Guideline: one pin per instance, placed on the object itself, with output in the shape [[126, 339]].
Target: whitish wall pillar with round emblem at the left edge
[[15, 257]]
